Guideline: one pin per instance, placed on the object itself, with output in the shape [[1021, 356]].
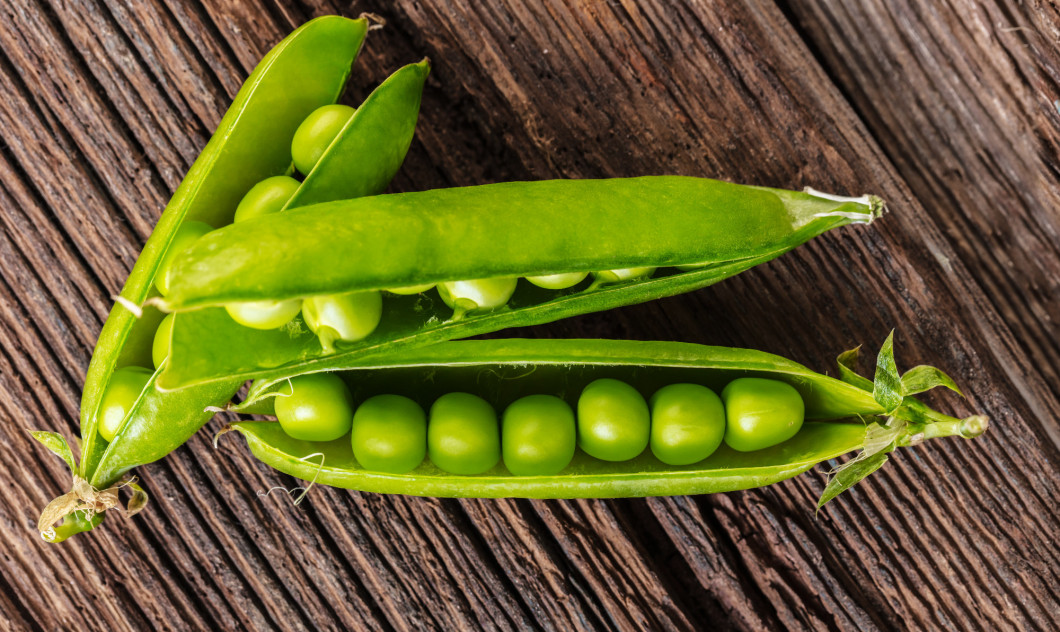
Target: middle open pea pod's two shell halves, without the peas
[[513, 230]]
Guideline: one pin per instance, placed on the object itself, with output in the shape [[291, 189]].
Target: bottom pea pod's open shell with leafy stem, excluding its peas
[[842, 419]]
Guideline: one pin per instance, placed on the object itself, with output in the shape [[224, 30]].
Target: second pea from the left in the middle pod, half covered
[[347, 318]]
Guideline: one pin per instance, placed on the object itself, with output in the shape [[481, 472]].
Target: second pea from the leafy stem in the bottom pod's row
[[688, 424]]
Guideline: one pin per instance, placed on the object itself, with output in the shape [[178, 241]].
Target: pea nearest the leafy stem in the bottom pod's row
[[762, 413]]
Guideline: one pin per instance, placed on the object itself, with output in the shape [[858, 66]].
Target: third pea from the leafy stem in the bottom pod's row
[[613, 420]]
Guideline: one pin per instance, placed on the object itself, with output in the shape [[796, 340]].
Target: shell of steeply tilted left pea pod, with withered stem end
[[307, 71]]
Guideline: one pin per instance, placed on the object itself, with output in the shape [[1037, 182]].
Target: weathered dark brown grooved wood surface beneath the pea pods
[[945, 109]]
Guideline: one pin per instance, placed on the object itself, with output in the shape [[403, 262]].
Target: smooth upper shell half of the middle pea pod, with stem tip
[[508, 230]]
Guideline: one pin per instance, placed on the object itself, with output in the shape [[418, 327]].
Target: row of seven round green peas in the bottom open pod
[[538, 434]]
